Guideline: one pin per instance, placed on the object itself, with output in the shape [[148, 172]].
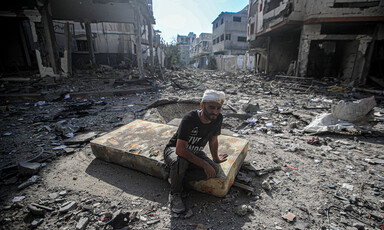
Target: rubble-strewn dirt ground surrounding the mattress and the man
[[327, 181]]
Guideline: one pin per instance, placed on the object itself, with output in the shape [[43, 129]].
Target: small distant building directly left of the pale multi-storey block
[[200, 50]]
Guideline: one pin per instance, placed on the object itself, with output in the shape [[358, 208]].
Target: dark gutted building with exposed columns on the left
[[50, 37]]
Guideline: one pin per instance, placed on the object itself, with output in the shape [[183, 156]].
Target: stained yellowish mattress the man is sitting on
[[139, 145]]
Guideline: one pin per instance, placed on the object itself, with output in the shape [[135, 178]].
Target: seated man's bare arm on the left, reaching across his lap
[[182, 151]]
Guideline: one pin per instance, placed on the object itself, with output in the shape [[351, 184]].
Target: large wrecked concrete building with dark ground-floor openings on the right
[[341, 39]]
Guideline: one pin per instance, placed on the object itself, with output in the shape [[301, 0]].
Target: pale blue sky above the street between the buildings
[[175, 17]]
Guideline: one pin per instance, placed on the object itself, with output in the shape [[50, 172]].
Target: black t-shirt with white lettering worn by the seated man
[[197, 134]]
